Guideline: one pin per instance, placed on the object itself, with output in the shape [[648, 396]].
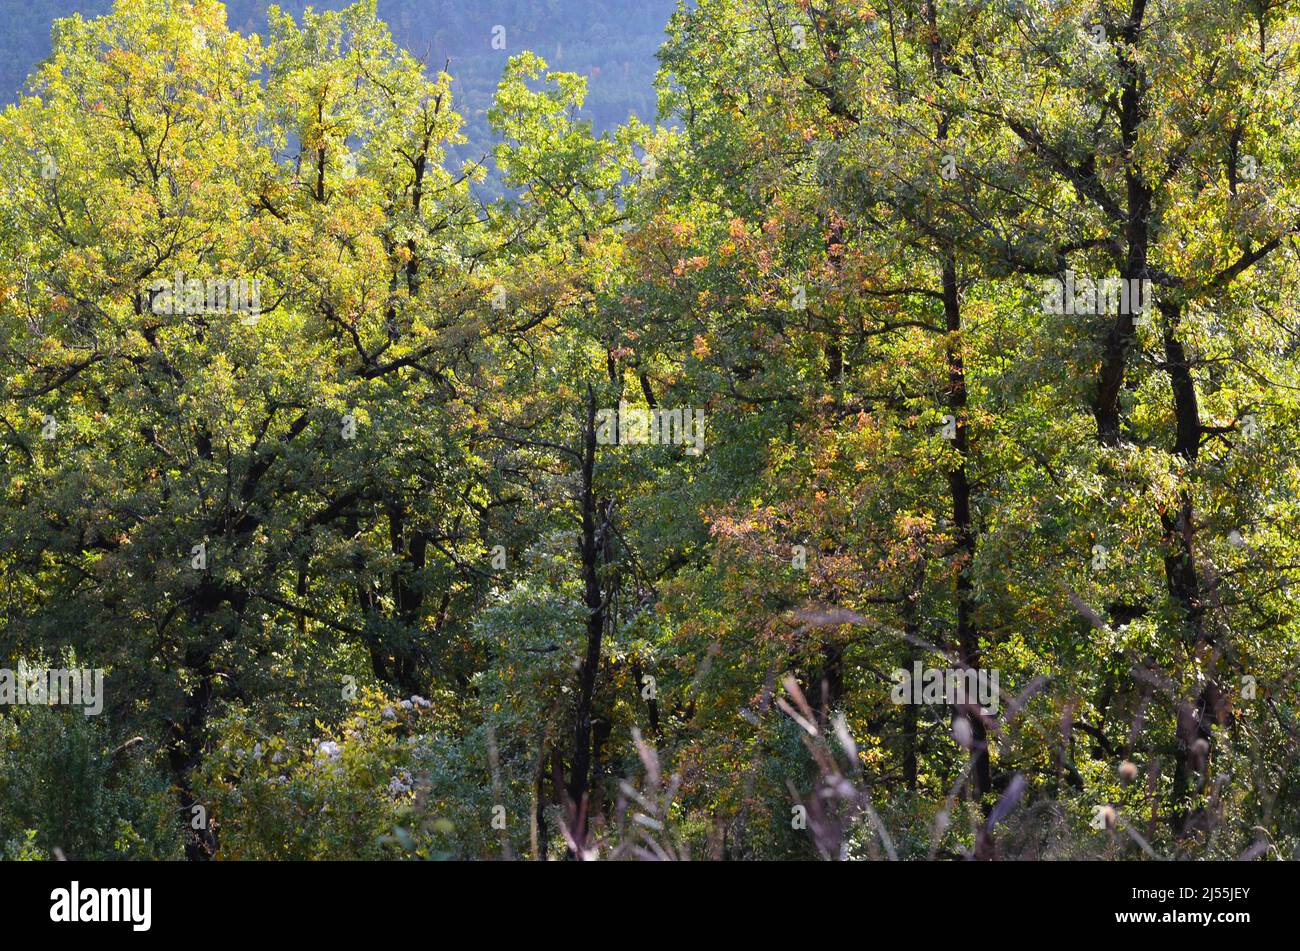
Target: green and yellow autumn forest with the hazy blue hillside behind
[[885, 448]]
